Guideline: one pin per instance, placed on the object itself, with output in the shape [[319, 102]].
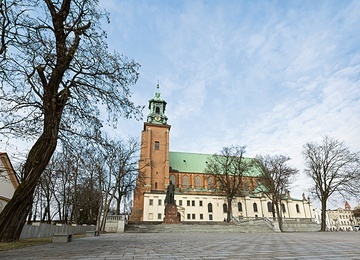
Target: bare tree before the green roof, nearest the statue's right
[[228, 169]]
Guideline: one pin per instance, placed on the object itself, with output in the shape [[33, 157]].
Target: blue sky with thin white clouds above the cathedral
[[271, 75]]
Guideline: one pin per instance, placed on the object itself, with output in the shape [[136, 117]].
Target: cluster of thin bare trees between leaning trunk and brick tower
[[84, 183]]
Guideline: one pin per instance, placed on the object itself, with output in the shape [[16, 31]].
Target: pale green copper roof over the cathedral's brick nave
[[196, 163]]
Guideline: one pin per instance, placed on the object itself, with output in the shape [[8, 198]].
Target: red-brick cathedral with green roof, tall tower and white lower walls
[[194, 196]]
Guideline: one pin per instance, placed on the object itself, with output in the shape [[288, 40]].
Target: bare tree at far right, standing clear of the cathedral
[[334, 169]]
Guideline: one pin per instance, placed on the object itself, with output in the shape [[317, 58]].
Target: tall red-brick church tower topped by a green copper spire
[[153, 176]]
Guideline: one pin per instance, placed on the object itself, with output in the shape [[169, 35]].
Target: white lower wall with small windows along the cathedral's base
[[195, 207]]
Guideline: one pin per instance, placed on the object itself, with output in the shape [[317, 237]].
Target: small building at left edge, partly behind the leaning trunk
[[8, 180]]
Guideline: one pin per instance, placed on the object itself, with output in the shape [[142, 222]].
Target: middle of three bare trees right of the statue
[[275, 180]]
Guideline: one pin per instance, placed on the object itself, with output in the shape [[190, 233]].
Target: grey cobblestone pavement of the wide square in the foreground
[[312, 245]]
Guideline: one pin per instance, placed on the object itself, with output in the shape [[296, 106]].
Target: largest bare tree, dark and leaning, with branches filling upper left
[[52, 82]]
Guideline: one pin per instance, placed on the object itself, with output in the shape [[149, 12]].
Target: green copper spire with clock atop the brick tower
[[157, 109]]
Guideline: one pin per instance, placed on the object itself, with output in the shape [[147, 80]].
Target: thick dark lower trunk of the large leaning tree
[[13, 216]]
